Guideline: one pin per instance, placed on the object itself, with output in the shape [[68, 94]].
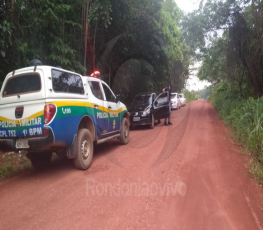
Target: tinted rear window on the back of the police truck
[[22, 84]]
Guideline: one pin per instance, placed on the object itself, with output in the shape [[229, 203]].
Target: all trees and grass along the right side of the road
[[227, 36]]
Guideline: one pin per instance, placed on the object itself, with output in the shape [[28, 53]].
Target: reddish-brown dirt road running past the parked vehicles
[[186, 176]]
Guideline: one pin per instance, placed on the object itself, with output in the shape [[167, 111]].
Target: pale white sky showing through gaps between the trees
[[193, 83]]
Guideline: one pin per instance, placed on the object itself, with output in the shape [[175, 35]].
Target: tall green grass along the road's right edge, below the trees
[[244, 118]]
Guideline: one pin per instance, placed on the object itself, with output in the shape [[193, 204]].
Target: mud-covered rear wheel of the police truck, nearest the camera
[[84, 153]]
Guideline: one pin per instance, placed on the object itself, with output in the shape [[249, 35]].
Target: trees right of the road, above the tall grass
[[228, 36]]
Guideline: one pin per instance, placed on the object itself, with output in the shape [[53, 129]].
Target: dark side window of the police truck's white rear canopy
[[67, 82]]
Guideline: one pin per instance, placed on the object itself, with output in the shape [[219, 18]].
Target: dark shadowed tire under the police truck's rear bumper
[[40, 160]]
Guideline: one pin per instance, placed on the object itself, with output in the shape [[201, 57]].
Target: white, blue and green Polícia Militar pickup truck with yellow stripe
[[44, 109]]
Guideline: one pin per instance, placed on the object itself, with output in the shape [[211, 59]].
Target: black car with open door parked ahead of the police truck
[[146, 108]]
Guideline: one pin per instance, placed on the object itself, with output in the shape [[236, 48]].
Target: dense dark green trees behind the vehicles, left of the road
[[84, 35]]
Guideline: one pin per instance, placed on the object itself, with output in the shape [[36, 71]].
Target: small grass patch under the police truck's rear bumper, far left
[[11, 164]]
